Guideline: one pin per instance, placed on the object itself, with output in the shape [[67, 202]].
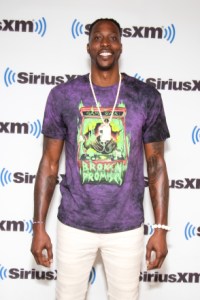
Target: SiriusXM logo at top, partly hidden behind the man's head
[[168, 33]]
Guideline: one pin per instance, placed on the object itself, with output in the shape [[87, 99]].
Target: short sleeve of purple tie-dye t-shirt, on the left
[[53, 125]]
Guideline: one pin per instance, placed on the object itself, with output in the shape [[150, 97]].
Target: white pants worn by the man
[[76, 252]]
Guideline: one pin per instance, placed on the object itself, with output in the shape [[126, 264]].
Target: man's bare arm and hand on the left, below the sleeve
[[44, 187]]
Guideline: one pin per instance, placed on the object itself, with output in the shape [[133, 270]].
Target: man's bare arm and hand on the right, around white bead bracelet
[[159, 193]]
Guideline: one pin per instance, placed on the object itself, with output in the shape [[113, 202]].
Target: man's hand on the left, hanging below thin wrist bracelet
[[41, 248]]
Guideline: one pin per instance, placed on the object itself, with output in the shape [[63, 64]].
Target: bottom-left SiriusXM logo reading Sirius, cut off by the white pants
[[15, 273]]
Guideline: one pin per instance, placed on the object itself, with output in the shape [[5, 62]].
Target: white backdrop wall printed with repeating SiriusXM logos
[[43, 43]]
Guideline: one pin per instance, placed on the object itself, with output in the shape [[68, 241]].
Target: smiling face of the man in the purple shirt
[[104, 45]]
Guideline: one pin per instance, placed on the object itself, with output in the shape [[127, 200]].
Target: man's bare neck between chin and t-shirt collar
[[105, 78]]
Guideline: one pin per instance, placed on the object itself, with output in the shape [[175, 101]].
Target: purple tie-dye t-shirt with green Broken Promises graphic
[[103, 188]]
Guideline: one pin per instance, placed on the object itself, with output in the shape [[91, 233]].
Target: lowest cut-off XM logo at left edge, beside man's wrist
[[16, 226]]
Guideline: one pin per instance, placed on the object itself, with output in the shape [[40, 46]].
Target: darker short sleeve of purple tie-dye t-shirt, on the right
[[155, 128]]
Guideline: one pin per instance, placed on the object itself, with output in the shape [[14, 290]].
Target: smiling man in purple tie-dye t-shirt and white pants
[[105, 119]]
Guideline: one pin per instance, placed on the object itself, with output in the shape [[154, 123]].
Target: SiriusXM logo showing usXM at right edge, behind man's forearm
[[186, 183]]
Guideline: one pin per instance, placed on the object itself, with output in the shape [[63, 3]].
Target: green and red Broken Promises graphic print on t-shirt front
[[102, 148]]
